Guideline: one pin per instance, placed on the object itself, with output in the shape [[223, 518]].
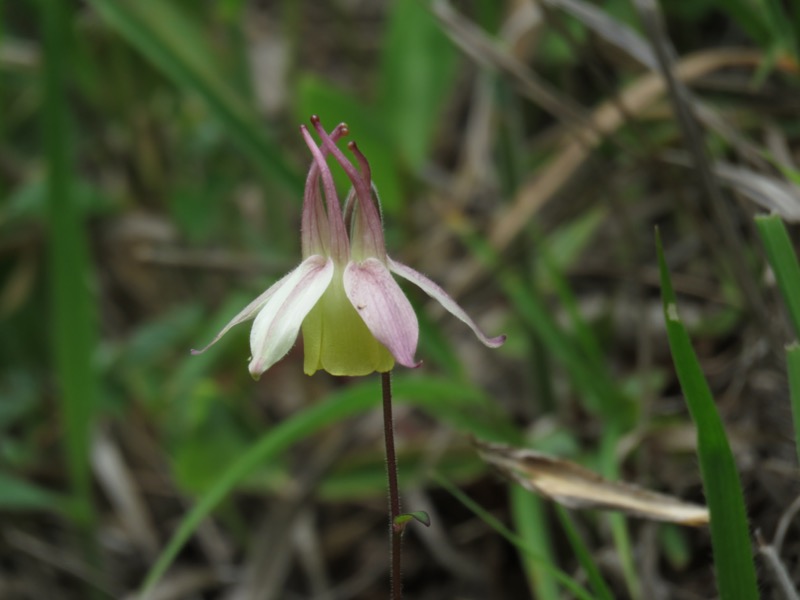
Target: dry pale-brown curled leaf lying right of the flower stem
[[573, 486]]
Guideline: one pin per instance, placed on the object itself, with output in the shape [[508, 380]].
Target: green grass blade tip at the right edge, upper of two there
[[783, 261]]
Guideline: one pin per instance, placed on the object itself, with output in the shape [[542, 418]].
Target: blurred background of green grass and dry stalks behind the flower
[[151, 179]]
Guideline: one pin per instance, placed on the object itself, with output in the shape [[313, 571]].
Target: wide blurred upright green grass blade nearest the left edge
[[72, 309]]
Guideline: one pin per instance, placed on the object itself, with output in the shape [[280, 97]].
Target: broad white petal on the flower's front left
[[276, 326]]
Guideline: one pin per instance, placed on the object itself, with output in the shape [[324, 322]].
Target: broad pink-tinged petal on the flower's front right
[[384, 308]]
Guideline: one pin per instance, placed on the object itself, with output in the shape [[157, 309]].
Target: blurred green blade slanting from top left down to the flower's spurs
[[171, 42]]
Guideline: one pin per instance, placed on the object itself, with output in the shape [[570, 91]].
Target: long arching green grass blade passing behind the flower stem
[[424, 392]]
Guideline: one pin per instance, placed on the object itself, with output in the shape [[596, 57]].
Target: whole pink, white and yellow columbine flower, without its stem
[[355, 318]]
